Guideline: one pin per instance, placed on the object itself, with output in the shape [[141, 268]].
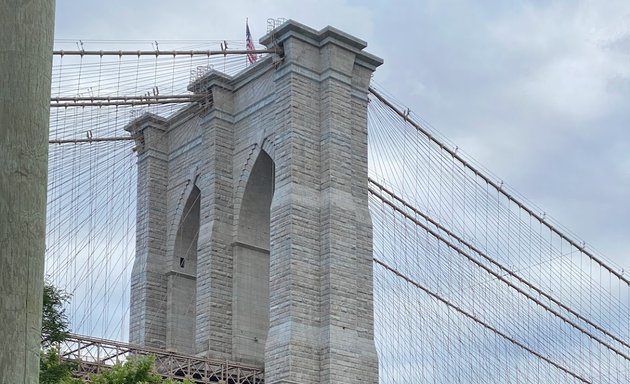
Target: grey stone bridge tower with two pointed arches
[[254, 240]]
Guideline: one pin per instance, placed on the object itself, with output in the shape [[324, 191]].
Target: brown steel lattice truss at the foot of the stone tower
[[93, 355]]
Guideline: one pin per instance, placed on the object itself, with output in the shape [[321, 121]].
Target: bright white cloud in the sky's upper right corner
[[571, 66]]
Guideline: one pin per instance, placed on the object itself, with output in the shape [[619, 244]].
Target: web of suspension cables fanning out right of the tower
[[459, 241]]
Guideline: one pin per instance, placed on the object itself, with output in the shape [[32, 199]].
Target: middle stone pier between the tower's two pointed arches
[[215, 264]]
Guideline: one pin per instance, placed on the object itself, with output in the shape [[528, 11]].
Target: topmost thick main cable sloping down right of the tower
[[496, 186]]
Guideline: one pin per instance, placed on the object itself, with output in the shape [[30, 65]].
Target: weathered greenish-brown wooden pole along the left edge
[[25, 73]]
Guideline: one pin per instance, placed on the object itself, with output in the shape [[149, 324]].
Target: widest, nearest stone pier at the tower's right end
[[321, 317]]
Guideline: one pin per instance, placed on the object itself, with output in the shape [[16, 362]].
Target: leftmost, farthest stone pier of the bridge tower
[[148, 282]]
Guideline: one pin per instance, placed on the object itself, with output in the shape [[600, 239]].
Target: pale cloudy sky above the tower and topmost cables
[[536, 91]]
